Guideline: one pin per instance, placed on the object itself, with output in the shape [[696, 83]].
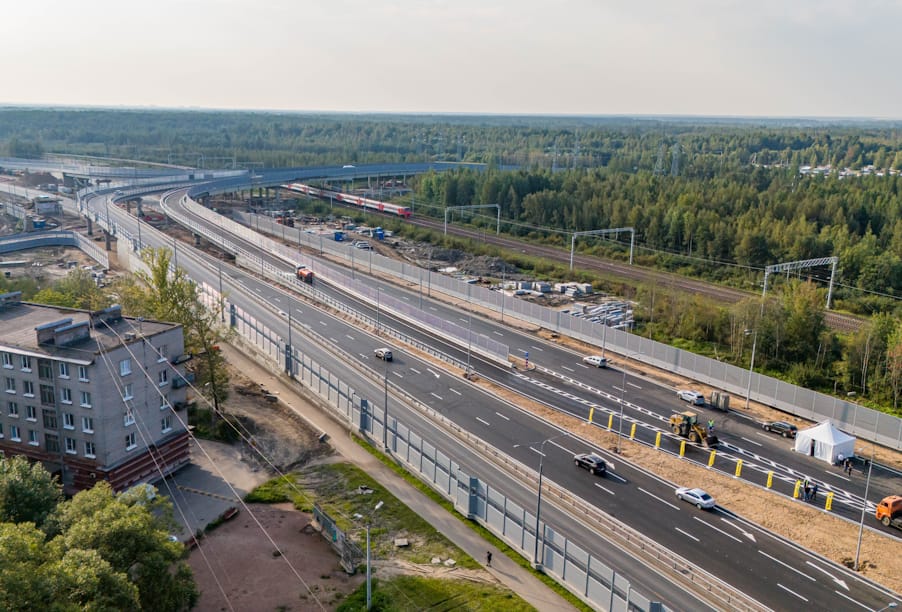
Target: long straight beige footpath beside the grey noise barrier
[[506, 571]]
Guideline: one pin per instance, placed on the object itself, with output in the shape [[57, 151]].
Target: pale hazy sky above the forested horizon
[[787, 58]]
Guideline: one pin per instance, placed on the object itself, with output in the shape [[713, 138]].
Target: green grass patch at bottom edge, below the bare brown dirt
[[414, 593]]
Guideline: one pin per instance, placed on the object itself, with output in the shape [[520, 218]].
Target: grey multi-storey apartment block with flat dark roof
[[92, 395]]
